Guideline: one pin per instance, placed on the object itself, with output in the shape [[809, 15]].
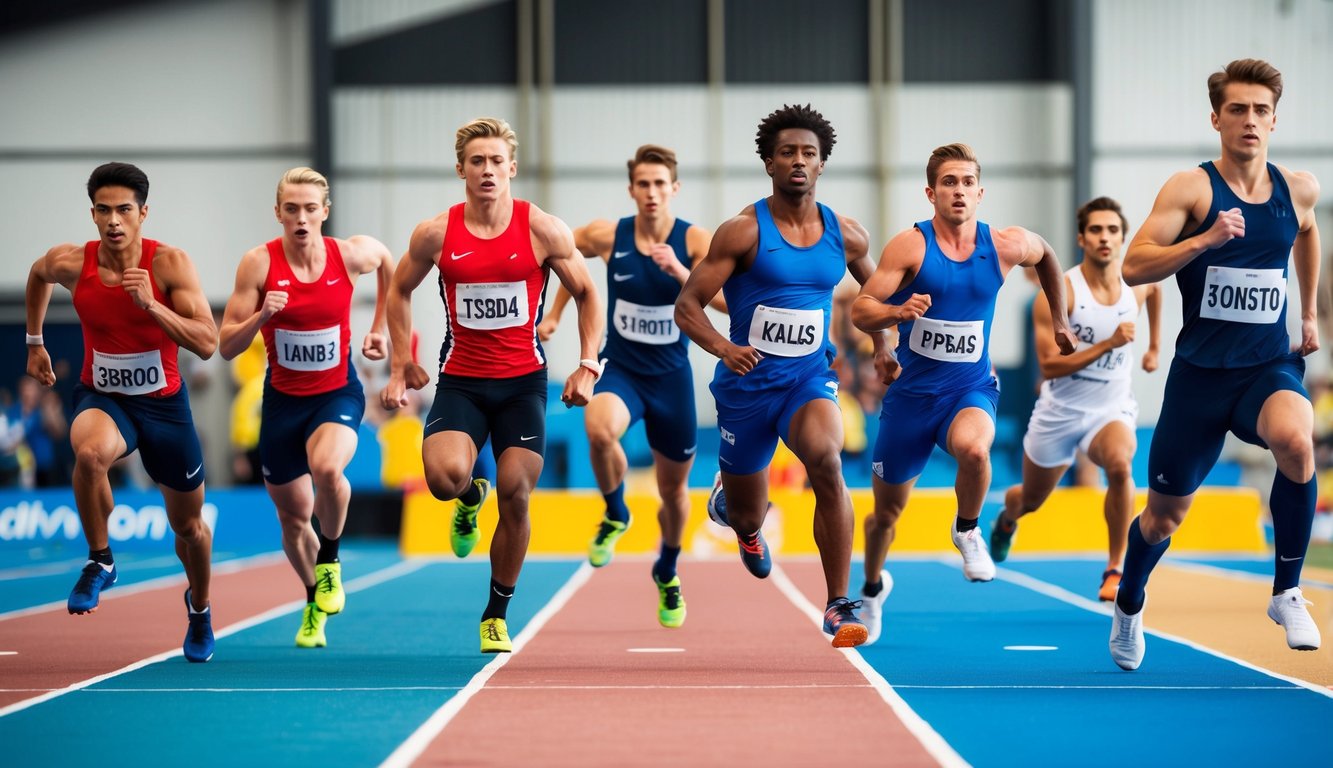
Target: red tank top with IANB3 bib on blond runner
[[307, 342]]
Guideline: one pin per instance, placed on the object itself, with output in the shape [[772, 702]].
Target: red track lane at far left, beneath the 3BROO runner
[[55, 647]]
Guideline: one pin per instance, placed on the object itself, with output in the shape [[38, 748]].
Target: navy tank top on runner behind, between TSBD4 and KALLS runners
[[642, 333]]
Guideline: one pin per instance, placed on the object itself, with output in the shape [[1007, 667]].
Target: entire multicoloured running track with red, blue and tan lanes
[[1014, 673]]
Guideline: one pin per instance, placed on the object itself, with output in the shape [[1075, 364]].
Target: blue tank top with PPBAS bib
[[948, 350]]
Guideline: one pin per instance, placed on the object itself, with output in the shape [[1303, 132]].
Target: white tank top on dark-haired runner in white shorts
[[1106, 381]]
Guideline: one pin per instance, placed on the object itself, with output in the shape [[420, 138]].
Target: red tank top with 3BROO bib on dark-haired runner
[[126, 351]]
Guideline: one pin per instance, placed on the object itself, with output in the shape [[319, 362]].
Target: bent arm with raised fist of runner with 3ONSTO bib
[[1154, 254]]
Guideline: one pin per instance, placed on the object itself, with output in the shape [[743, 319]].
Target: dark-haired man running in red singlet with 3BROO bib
[[138, 302]]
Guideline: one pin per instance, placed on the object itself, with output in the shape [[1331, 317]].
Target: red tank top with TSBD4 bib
[[494, 293]]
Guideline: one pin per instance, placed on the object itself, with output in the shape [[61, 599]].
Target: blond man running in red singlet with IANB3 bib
[[298, 293]]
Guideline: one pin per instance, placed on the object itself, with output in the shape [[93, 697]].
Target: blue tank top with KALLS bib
[[782, 306]]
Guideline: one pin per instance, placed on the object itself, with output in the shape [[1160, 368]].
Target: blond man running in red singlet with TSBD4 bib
[[494, 255]]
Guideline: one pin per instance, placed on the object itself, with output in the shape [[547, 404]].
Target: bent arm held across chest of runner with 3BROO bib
[[190, 322]]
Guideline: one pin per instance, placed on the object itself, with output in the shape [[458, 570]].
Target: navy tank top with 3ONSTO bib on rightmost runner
[[1235, 297]]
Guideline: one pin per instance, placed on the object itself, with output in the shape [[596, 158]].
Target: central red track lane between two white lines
[[756, 681]]
